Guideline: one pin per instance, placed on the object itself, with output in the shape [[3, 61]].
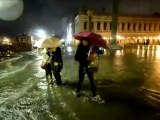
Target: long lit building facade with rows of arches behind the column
[[131, 29]]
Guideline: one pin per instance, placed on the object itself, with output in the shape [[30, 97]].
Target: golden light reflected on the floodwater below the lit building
[[136, 68]]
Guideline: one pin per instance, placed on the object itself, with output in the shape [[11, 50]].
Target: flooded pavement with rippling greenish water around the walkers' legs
[[128, 88]]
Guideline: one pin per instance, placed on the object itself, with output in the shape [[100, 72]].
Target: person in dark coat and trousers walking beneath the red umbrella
[[82, 57]]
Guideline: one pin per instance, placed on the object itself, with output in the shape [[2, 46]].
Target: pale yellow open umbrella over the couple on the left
[[51, 42]]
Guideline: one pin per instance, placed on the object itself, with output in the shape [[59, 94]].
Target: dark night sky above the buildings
[[51, 14]]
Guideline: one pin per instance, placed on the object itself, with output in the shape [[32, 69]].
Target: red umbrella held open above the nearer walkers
[[94, 39]]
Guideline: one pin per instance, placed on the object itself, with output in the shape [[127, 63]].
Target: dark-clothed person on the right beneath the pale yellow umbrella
[[57, 65]]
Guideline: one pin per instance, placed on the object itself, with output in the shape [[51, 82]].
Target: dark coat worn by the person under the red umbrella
[[82, 54]]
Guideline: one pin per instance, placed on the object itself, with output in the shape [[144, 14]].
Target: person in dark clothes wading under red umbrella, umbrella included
[[85, 54]]
